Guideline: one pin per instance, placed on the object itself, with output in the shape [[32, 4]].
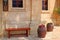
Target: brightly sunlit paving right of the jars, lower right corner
[[54, 35]]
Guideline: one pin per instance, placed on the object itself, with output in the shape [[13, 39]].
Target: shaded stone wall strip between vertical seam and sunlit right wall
[[36, 15]]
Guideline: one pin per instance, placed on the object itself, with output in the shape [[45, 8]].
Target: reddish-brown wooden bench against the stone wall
[[18, 29]]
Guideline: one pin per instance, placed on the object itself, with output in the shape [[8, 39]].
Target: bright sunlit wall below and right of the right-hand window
[[46, 15]]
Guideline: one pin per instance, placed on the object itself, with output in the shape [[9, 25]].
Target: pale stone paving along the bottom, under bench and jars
[[54, 35]]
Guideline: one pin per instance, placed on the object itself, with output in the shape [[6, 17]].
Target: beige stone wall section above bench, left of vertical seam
[[17, 17]]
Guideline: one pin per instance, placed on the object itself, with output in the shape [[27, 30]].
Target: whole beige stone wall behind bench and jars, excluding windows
[[32, 12]]
